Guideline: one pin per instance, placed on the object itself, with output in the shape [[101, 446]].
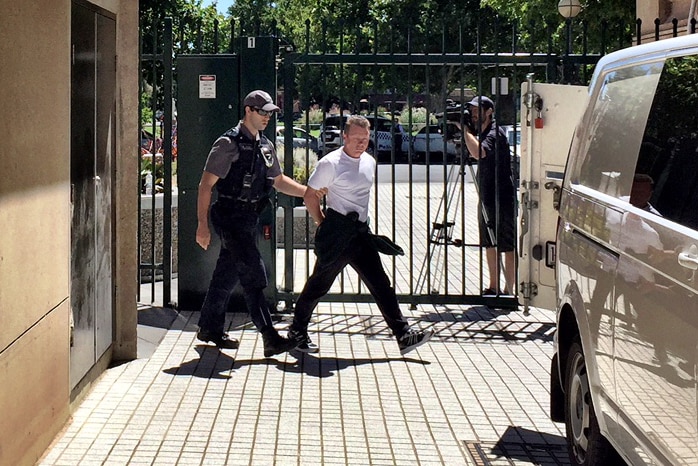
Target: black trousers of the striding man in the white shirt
[[363, 258]]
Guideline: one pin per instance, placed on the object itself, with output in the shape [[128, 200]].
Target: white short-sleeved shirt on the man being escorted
[[348, 181]]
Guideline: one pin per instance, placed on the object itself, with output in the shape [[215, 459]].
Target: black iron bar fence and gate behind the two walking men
[[408, 81]]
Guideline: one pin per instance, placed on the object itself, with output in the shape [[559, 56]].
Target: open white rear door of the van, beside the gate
[[543, 158]]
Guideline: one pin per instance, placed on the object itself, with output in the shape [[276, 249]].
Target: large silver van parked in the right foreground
[[623, 374]]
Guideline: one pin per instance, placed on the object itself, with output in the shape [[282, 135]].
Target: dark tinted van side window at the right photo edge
[[669, 152]]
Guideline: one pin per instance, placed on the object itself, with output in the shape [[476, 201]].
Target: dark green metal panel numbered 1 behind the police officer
[[210, 93]]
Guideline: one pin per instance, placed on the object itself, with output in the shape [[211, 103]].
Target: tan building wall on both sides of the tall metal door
[[35, 217]]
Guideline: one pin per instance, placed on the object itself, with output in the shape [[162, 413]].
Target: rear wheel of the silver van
[[585, 443]]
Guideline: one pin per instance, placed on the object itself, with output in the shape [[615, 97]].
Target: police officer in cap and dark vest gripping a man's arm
[[243, 166]]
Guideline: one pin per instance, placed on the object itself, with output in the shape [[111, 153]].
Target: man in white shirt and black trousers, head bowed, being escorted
[[343, 237]]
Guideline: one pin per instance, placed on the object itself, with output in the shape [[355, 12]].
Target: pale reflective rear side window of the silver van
[[615, 128]]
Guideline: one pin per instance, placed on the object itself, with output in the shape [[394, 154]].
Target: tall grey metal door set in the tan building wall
[[92, 148]]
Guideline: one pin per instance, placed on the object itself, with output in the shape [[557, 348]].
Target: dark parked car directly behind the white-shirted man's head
[[383, 133]]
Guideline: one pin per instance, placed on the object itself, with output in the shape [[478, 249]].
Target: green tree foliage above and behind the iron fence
[[393, 26]]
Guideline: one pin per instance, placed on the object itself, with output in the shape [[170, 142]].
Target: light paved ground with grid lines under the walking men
[[477, 394]]
